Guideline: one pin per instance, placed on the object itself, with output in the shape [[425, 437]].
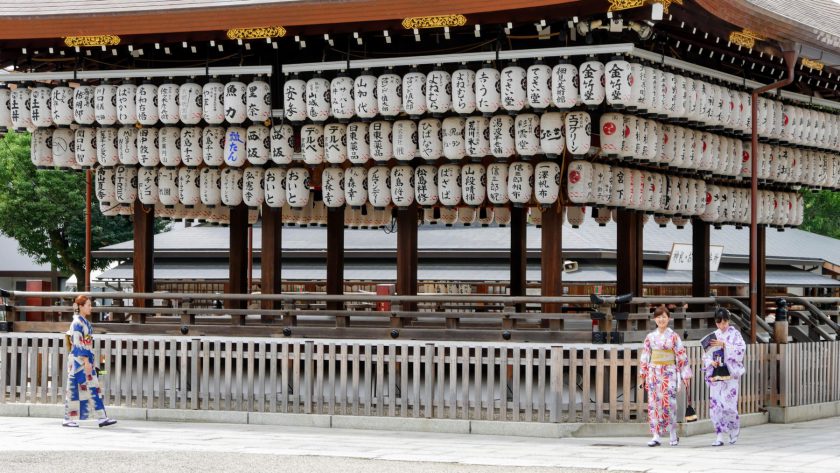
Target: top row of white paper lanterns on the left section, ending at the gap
[[147, 104]]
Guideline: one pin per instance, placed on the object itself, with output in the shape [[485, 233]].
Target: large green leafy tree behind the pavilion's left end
[[44, 210]]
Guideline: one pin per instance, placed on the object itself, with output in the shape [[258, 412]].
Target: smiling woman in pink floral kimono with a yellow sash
[[663, 363]]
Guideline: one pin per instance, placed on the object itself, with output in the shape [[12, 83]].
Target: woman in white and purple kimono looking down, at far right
[[727, 350]]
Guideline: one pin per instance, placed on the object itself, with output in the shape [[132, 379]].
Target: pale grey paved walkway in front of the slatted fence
[[38, 445]]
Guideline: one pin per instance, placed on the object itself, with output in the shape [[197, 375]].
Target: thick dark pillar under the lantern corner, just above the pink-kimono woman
[[629, 255]]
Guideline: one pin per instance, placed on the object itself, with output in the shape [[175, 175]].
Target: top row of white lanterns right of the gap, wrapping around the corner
[[514, 89]]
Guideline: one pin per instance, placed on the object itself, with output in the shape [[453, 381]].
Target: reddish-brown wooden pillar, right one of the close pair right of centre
[[551, 262]]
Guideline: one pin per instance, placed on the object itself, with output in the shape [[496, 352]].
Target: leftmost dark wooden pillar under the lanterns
[[144, 255]]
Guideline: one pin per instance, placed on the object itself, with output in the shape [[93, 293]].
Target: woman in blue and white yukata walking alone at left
[[83, 399]]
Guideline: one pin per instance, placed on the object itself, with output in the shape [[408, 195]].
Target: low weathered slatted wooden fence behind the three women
[[445, 380]]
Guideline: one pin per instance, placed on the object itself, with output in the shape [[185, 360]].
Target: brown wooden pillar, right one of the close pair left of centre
[[270, 257]]
